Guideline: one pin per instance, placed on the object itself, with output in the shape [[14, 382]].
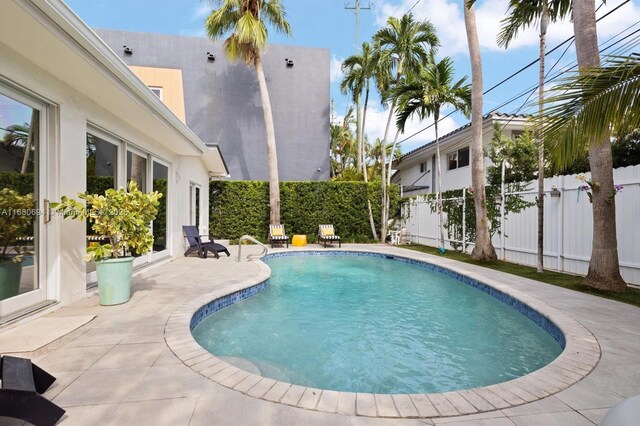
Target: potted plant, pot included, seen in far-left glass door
[[16, 217]]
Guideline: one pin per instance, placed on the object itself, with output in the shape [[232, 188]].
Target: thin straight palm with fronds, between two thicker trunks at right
[[523, 14]]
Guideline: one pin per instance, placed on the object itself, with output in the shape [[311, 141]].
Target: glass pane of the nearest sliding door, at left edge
[[19, 159]]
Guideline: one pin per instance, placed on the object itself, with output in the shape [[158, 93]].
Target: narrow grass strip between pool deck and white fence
[[573, 282]]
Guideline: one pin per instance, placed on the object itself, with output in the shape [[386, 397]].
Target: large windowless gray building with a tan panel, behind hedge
[[220, 101]]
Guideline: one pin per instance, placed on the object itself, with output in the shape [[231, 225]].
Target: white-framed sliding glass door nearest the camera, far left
[[22, 202]]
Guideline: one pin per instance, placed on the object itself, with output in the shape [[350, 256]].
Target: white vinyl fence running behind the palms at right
[[568, 226]]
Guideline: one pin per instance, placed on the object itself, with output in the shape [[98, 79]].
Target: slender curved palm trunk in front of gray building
[[272, 157]]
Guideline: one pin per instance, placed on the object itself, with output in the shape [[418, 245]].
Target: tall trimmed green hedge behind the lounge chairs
[[242, 207]]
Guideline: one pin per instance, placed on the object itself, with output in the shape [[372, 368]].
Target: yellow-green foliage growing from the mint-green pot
[[123, 216]]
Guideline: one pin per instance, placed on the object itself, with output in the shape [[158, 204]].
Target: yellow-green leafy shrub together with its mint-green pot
[[123, 217]]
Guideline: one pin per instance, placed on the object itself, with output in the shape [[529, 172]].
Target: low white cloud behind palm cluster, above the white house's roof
[[377, 122]]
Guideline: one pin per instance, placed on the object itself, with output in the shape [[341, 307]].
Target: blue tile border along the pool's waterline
[[541, 320]]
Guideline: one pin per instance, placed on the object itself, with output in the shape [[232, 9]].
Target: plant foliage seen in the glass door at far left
[[16, 217]]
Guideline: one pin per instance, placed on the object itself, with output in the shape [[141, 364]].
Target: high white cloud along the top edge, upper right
[[447, 17]]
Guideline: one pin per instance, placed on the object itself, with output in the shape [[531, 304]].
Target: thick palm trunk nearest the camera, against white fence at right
[[604, 266]]
